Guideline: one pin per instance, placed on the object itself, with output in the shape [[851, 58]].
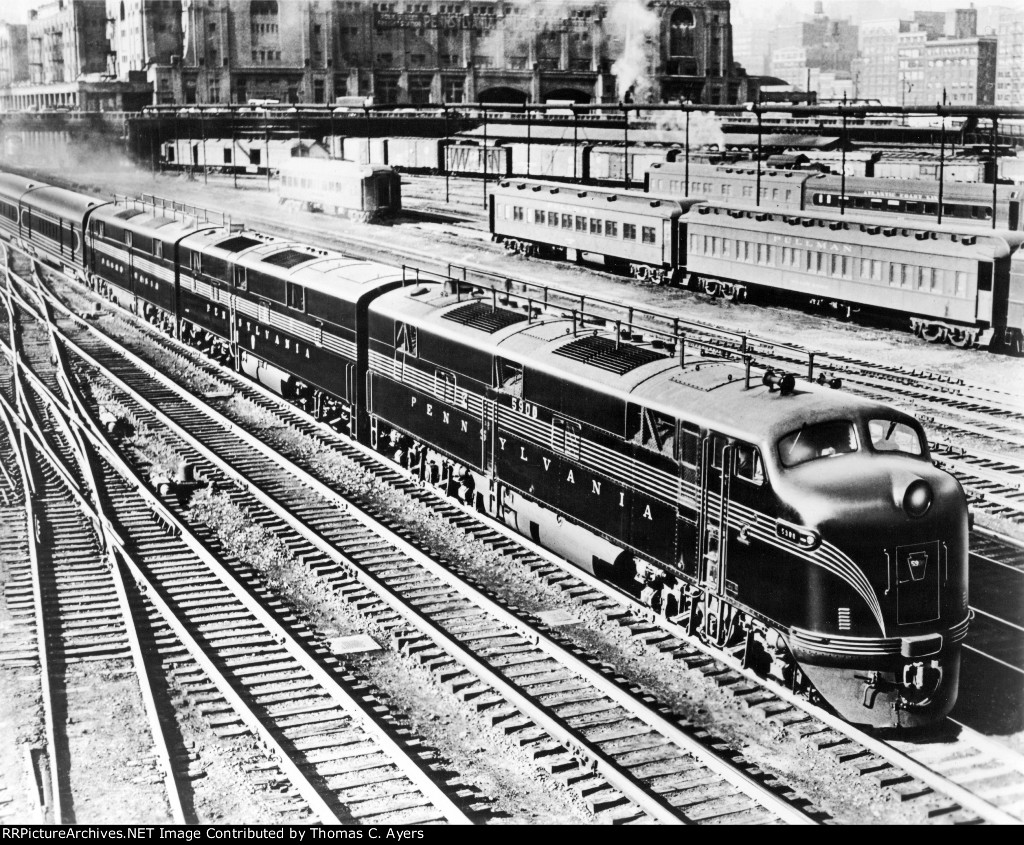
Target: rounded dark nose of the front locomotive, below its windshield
[[883, 647]]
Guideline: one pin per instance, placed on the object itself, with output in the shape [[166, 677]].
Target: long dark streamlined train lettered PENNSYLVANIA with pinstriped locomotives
[[800, 528]]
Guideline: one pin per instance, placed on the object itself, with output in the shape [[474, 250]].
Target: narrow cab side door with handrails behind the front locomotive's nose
[[713, 513]]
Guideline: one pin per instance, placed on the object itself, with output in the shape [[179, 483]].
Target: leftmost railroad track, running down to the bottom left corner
[[76, 613]]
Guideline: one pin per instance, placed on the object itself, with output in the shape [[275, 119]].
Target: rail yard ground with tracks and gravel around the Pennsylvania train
[[221, 610]]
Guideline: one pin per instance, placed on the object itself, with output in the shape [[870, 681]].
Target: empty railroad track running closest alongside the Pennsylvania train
[[565, 709]]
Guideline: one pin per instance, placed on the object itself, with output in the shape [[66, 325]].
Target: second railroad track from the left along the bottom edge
[[254, 657]]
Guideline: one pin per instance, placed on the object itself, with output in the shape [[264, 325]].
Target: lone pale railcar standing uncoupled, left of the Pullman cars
[[360, 192]]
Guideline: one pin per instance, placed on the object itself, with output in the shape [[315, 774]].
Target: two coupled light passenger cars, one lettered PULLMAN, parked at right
[[954, 284]]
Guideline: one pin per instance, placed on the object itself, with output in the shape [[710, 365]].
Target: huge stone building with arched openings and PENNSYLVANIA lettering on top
[[419, 53]]
